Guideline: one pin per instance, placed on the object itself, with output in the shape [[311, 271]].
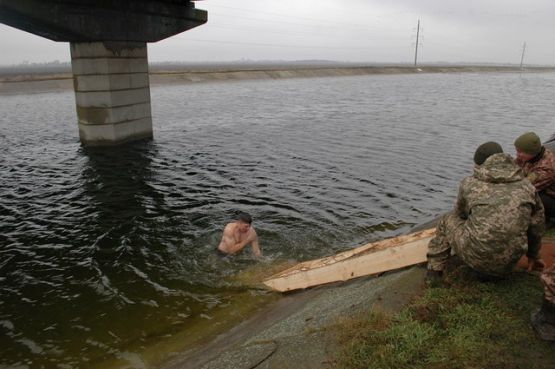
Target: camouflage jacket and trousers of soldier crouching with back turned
[[497, 218]]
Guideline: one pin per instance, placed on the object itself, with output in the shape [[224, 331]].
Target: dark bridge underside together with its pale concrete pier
[[108, 54]]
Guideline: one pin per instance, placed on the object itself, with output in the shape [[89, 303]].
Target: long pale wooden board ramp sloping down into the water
[[372, 258]]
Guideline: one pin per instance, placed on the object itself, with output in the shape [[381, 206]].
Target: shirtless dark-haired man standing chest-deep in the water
[[239, 234]]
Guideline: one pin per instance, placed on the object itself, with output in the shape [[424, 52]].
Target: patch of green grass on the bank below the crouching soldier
[[462, 324]]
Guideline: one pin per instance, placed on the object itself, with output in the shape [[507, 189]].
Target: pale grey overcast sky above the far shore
[[381, 31]]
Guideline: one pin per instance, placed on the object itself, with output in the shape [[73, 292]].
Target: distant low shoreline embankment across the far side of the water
[[12, 84]]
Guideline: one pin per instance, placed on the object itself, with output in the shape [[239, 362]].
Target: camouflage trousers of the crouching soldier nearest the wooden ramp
[[450, 238]]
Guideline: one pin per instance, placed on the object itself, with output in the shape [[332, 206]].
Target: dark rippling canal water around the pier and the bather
[[107, 255]]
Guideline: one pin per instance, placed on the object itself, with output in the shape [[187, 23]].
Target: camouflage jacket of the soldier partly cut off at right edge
[[541, 171]]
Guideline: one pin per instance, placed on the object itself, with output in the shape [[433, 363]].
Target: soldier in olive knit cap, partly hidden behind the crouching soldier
[[538, 165]]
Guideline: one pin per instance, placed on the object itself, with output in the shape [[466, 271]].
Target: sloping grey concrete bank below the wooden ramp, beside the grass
[[294, 332]]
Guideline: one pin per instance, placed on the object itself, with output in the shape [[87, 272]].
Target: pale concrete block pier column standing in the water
[[112, 92]]
